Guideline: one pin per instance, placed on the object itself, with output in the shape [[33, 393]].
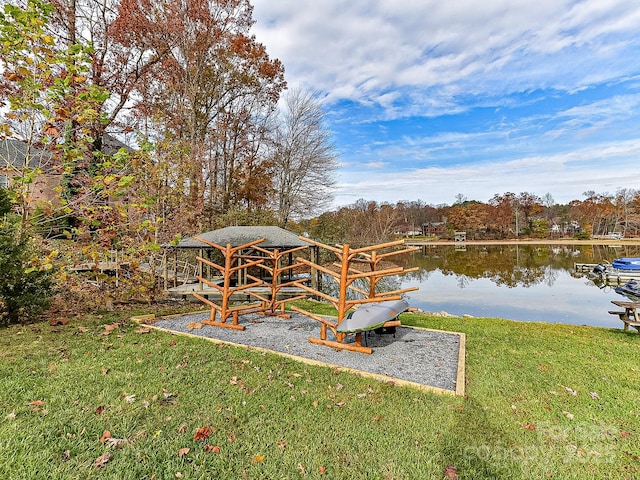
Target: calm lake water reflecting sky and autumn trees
[[531, 282]]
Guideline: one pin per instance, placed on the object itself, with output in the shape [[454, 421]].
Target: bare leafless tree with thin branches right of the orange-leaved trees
[[304, 159]]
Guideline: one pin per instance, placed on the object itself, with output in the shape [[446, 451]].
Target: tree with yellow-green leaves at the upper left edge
[[49, 100]]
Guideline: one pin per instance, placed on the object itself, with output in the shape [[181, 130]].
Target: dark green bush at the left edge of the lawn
[[25, 289]]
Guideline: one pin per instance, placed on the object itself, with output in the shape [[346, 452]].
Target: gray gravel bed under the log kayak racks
[[424, 357]]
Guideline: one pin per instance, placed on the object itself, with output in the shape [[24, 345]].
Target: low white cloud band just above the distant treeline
[[565, 175]]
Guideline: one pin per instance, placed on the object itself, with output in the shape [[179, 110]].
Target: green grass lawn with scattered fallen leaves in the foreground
[[105, 398]]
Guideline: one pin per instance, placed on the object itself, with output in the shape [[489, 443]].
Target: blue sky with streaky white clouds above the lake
[[428, 99]]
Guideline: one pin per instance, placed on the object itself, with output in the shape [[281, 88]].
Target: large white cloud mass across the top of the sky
[[359, 49]]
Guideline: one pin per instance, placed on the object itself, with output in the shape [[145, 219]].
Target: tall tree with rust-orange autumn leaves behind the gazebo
[[209, 99]]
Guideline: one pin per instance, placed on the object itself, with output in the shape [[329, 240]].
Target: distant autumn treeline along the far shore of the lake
[[505, 216]]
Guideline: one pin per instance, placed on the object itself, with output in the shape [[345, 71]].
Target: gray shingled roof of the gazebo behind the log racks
[[274, 237]]
